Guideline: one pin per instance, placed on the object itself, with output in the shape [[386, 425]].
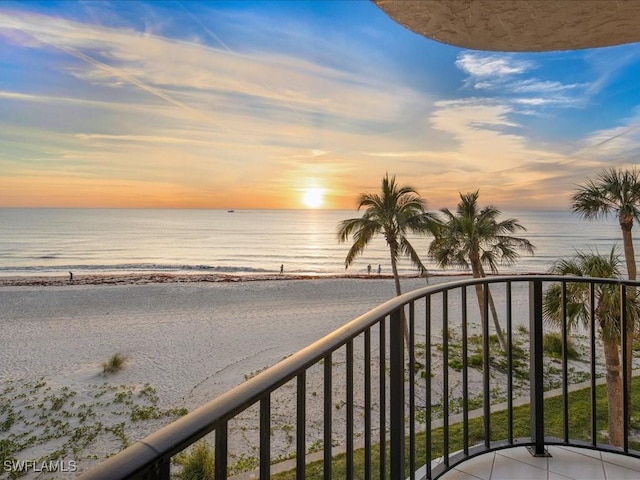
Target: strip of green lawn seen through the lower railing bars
[[579, 429]]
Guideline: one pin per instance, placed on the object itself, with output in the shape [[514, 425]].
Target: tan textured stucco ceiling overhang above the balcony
[[520, 25]]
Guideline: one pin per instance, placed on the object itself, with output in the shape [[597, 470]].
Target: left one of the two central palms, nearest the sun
[[397, 211]]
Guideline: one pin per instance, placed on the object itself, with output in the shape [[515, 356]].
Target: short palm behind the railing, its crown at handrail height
[[606, 314]]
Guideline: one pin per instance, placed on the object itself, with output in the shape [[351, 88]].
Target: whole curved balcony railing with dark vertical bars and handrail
[[364, 387]]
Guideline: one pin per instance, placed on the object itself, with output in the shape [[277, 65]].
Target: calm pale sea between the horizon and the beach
[[54, 241]]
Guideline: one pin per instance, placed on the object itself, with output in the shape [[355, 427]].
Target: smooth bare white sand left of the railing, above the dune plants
[[192, 341]]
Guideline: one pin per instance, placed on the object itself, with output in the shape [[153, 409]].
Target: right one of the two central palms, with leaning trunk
[[472, 239]]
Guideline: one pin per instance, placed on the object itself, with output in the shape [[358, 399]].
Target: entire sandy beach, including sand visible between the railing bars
[[187, 339]]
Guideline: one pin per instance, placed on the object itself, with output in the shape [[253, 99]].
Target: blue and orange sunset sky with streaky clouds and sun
[[180, 104]]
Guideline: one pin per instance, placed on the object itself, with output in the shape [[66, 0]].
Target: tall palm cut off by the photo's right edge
[[614, 192]]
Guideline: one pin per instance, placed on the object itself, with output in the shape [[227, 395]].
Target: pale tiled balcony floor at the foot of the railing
[[563, 464]]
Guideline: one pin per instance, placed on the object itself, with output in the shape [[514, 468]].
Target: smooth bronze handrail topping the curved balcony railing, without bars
[[183, 432]]
